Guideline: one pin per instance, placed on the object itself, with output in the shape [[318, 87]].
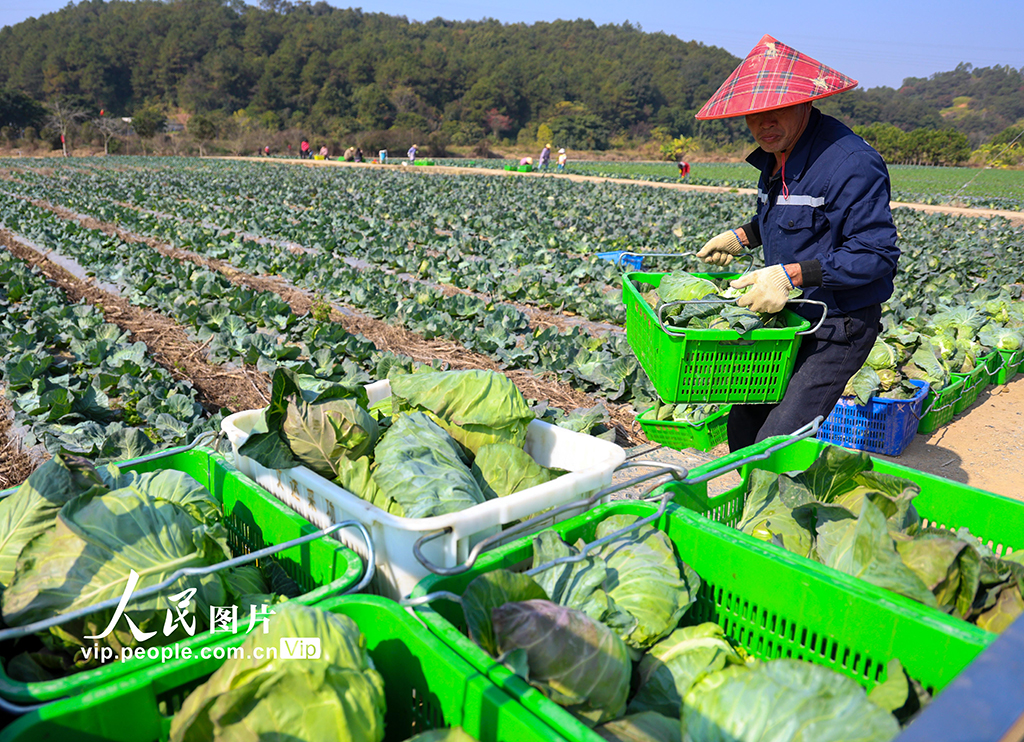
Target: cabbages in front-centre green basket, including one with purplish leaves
[[608, 639]]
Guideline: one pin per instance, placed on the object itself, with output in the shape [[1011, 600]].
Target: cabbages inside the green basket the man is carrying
[[714, 316]]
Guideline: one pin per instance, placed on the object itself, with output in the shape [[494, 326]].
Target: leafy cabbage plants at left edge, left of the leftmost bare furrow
[[76, 381]]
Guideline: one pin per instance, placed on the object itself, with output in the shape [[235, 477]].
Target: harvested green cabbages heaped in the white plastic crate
[[443, 443]]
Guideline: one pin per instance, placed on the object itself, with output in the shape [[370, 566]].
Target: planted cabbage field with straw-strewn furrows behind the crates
[[345, 273]]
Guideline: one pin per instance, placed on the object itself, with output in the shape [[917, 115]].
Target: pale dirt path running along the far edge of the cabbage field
[[1015, 216]]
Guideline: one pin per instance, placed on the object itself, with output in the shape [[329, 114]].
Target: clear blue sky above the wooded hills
[[877, 42]]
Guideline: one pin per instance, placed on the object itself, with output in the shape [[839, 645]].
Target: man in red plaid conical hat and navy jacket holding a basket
[[823, 221]]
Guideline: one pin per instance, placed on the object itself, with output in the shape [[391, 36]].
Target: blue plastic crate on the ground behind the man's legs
[[882, 426]]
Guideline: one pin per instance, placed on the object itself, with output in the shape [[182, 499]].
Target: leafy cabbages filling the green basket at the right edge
[[841, 513]]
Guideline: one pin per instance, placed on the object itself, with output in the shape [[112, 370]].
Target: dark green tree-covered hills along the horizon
[[337, 73]]
